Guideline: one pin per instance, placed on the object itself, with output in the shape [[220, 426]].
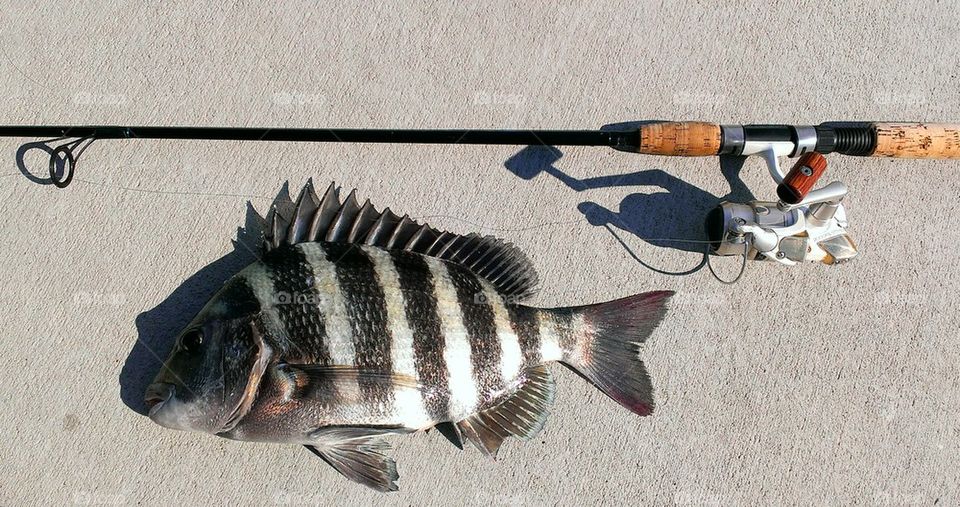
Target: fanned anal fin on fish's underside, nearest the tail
[[521, 414]]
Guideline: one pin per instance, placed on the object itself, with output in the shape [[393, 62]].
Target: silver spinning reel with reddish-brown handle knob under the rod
[[803, 225]]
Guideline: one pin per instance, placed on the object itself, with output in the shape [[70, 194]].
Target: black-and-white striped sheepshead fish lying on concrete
[[355, 324]]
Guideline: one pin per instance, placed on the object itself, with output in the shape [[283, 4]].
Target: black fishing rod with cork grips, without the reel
[[905, 140]]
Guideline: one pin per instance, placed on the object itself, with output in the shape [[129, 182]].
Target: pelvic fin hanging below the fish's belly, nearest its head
[[358, 454]]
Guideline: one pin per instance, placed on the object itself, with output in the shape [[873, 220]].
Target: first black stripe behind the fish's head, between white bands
[[296, 304]]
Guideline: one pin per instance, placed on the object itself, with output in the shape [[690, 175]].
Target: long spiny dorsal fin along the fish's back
[[327, 219]]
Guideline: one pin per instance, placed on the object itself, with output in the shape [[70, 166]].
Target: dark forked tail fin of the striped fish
[[608, 356]]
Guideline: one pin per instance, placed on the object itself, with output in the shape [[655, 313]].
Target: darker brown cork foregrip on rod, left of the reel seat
[[684, 139]]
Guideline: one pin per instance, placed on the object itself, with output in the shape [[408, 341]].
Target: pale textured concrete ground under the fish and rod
[[807, 385]]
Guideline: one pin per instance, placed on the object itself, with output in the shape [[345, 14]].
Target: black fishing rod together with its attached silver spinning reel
[[803, 224]]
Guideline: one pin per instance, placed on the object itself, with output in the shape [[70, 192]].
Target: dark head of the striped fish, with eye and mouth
[[210, 377]]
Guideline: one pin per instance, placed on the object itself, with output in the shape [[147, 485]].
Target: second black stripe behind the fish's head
[[366, 308]]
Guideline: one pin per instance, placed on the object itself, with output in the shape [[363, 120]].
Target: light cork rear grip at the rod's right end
[[917, 140]]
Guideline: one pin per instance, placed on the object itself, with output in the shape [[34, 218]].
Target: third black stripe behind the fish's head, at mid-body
[[416, 283]]
